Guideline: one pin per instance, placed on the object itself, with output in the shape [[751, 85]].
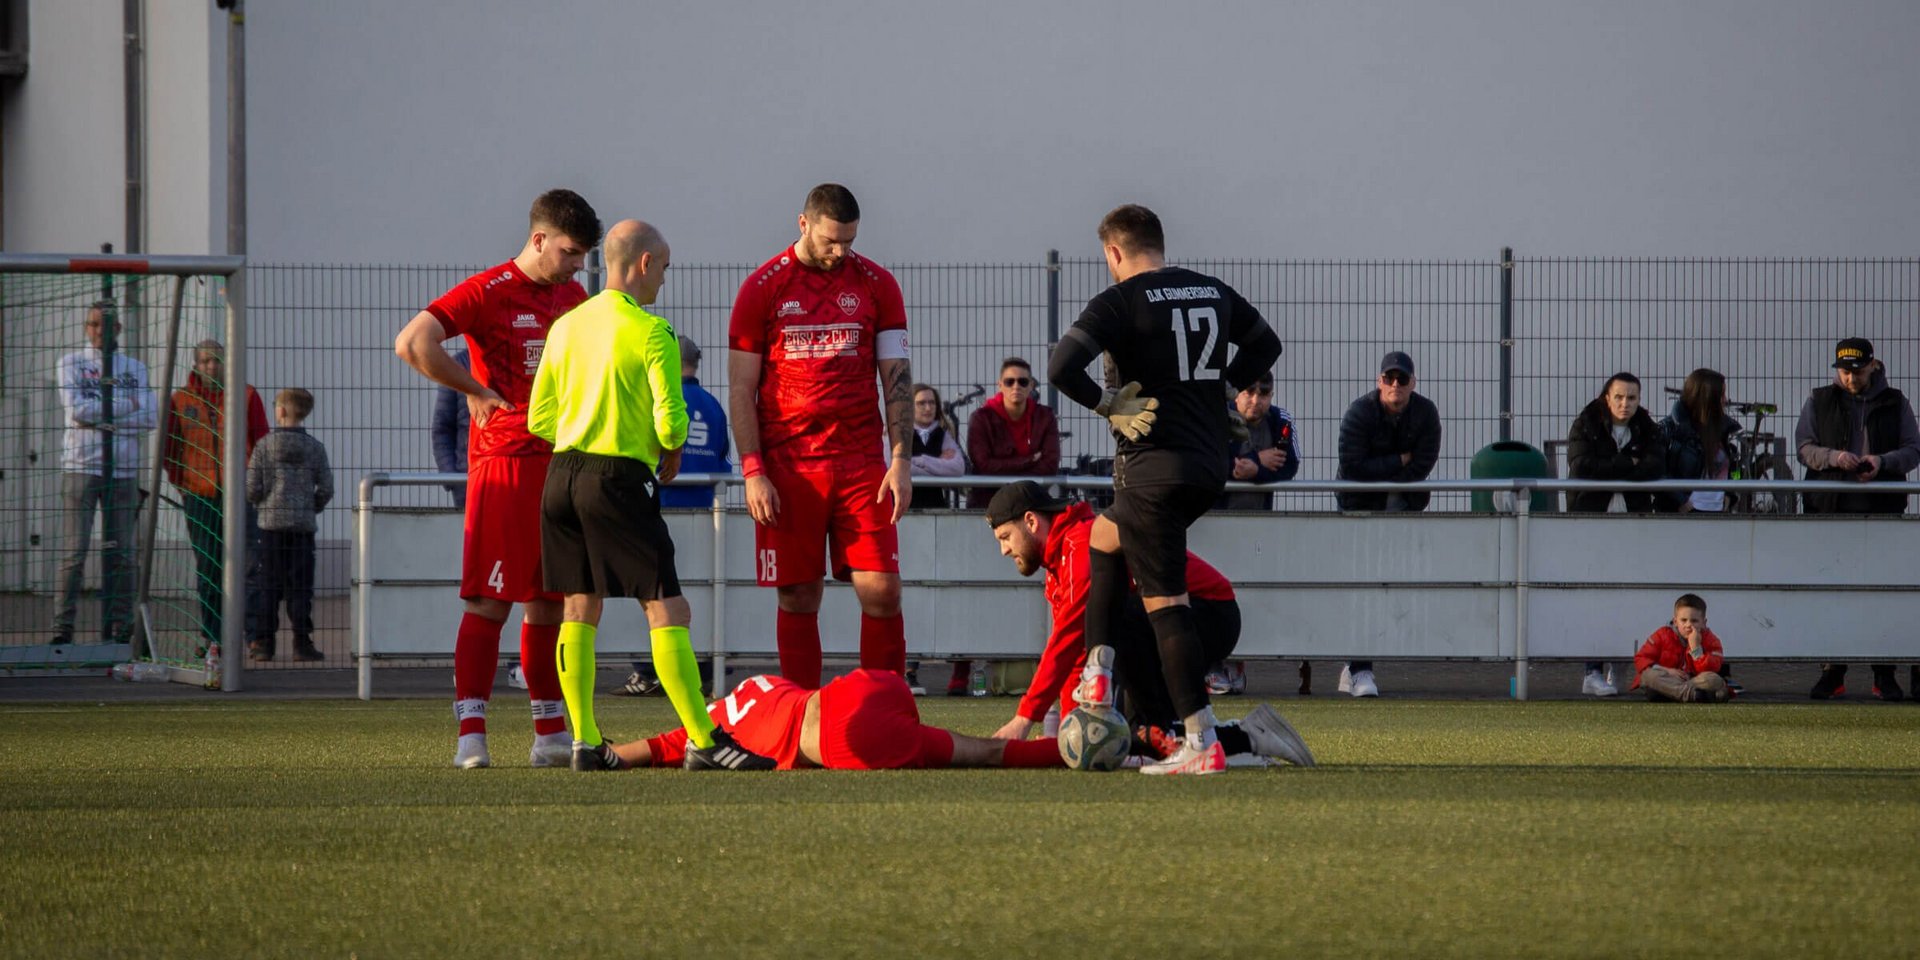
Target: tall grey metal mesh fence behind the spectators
[[1506, 347]]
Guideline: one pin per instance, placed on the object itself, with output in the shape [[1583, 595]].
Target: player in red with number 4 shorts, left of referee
[[504, 314]]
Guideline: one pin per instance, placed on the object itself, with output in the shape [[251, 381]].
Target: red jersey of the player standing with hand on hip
[[506, 318]]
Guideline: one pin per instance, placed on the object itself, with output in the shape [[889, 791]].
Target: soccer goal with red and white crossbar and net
[[85, 425]]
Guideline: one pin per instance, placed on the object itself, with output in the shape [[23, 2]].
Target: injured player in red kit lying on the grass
[[863, 721]]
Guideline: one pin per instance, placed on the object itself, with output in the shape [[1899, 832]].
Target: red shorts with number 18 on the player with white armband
[[828, 512]]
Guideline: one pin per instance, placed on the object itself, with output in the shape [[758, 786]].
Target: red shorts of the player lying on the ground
[[869, 723]]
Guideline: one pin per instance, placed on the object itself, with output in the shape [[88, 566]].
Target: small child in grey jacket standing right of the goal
[[291, 483]]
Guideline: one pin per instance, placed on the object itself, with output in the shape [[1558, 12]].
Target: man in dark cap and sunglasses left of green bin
[[1389, 435]]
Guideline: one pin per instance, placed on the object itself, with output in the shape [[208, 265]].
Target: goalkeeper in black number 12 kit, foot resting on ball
[[1166, 333]]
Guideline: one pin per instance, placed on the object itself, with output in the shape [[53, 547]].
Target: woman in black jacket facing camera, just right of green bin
[[1614, 439]]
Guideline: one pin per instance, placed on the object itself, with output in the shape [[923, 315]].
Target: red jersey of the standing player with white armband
[[817, 337]]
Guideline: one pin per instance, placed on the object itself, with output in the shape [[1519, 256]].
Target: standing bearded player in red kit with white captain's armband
[[809, 333]]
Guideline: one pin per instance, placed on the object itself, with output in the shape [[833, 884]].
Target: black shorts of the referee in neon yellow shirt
[[602, 529]]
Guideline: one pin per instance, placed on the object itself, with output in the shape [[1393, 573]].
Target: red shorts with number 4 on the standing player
[[500, 558]]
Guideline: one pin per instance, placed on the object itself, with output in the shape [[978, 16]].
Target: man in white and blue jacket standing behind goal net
[[107, 410]]
